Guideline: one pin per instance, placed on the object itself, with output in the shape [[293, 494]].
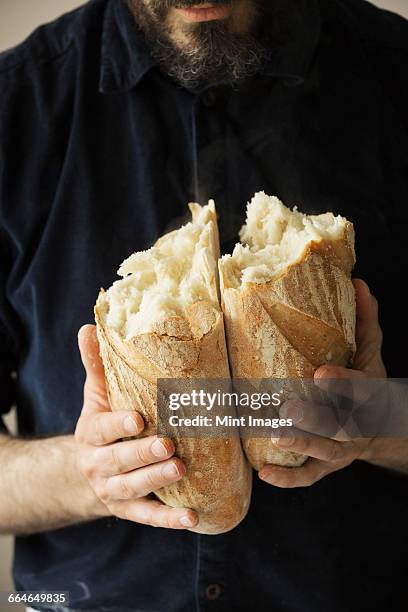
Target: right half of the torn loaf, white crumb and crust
[[288, 301]]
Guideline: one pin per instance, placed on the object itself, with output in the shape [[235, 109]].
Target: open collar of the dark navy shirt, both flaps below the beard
[[125, 56]]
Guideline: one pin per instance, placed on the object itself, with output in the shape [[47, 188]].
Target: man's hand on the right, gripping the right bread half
[[327, 455]]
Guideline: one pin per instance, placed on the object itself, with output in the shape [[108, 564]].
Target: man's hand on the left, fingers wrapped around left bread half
[[123, 474]]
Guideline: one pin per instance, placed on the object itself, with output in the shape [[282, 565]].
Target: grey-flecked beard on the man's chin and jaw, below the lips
[[216, 54]]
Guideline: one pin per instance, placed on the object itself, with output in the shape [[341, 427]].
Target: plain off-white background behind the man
[[17, 19]]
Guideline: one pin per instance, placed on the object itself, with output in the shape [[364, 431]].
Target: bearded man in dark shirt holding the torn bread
[[113, 118]]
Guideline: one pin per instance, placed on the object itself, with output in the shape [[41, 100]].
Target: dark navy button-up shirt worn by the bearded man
[[99, 154]]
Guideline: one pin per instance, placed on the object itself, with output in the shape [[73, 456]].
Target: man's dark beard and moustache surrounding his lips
[[204, 52]]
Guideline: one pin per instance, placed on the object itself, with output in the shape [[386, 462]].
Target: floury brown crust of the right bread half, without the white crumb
[[288, 327]]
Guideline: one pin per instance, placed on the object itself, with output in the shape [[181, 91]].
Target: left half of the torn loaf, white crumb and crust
[[163, 320]]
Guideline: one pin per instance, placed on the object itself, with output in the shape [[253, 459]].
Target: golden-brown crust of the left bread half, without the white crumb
[[218, 480]]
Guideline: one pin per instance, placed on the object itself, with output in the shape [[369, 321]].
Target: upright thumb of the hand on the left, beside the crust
[[95, 387]]
